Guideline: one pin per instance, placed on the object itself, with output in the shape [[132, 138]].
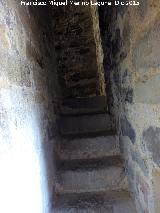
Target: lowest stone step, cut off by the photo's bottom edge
[[113, 202]]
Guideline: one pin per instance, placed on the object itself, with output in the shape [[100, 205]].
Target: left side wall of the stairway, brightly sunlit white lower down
[[27, 114]]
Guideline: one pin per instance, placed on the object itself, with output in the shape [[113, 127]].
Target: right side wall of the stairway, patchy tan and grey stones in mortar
[[131, 45]]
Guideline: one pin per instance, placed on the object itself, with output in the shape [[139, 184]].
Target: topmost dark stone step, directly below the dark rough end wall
[[90, 105]]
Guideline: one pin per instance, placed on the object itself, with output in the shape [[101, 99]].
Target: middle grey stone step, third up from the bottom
[[89, 148]]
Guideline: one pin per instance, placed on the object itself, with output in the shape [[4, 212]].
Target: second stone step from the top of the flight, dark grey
[[85, 125]]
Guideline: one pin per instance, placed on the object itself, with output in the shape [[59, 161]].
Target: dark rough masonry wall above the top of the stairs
[[79, 68]]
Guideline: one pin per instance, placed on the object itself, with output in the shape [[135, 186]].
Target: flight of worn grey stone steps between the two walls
[[91, 174]]
